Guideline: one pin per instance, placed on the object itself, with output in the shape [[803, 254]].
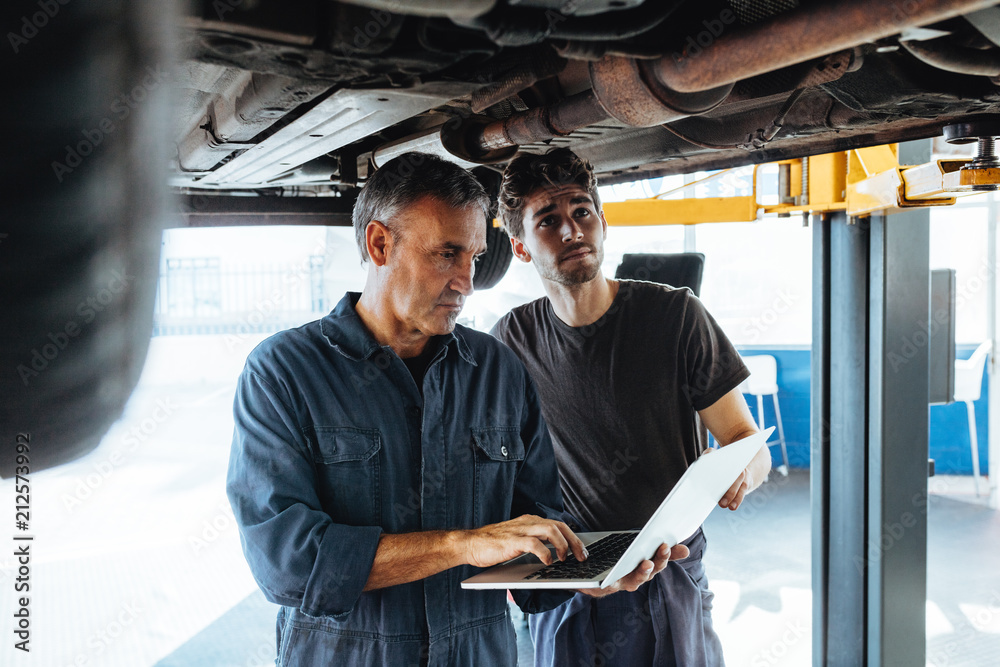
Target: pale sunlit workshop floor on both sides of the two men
[[137, 560]]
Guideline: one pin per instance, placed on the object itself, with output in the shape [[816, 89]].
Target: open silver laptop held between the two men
[[614, 554]]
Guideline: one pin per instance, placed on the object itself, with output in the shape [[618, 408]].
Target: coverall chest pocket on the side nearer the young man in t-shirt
[[498, 455]]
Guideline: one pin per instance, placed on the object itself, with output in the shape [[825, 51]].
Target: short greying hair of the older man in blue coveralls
[[404, 180]]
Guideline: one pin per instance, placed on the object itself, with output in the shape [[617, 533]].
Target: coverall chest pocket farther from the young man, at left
[[347, 464]]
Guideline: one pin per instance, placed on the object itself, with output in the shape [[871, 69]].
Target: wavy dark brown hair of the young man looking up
[[528, 172]]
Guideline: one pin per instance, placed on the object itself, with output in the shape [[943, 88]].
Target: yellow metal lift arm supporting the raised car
[[861, 181]]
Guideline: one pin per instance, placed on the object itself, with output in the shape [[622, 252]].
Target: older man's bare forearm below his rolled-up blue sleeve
[[401, 559]]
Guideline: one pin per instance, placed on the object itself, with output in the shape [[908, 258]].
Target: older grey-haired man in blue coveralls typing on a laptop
[[380, 452]]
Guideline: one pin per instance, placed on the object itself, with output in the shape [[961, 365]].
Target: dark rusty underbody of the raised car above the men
[[306, 98]]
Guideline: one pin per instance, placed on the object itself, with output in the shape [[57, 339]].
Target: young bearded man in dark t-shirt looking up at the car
[[622, 368]]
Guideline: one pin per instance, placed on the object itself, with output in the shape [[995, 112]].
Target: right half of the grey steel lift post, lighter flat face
[[898, 405]]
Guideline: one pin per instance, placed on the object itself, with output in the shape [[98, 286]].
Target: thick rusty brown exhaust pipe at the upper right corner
[[802, 35]]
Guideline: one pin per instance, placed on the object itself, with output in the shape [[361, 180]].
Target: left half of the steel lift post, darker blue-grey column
[[840, 424]]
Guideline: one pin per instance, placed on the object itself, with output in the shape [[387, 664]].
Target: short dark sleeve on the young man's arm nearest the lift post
[[713, 366]]
